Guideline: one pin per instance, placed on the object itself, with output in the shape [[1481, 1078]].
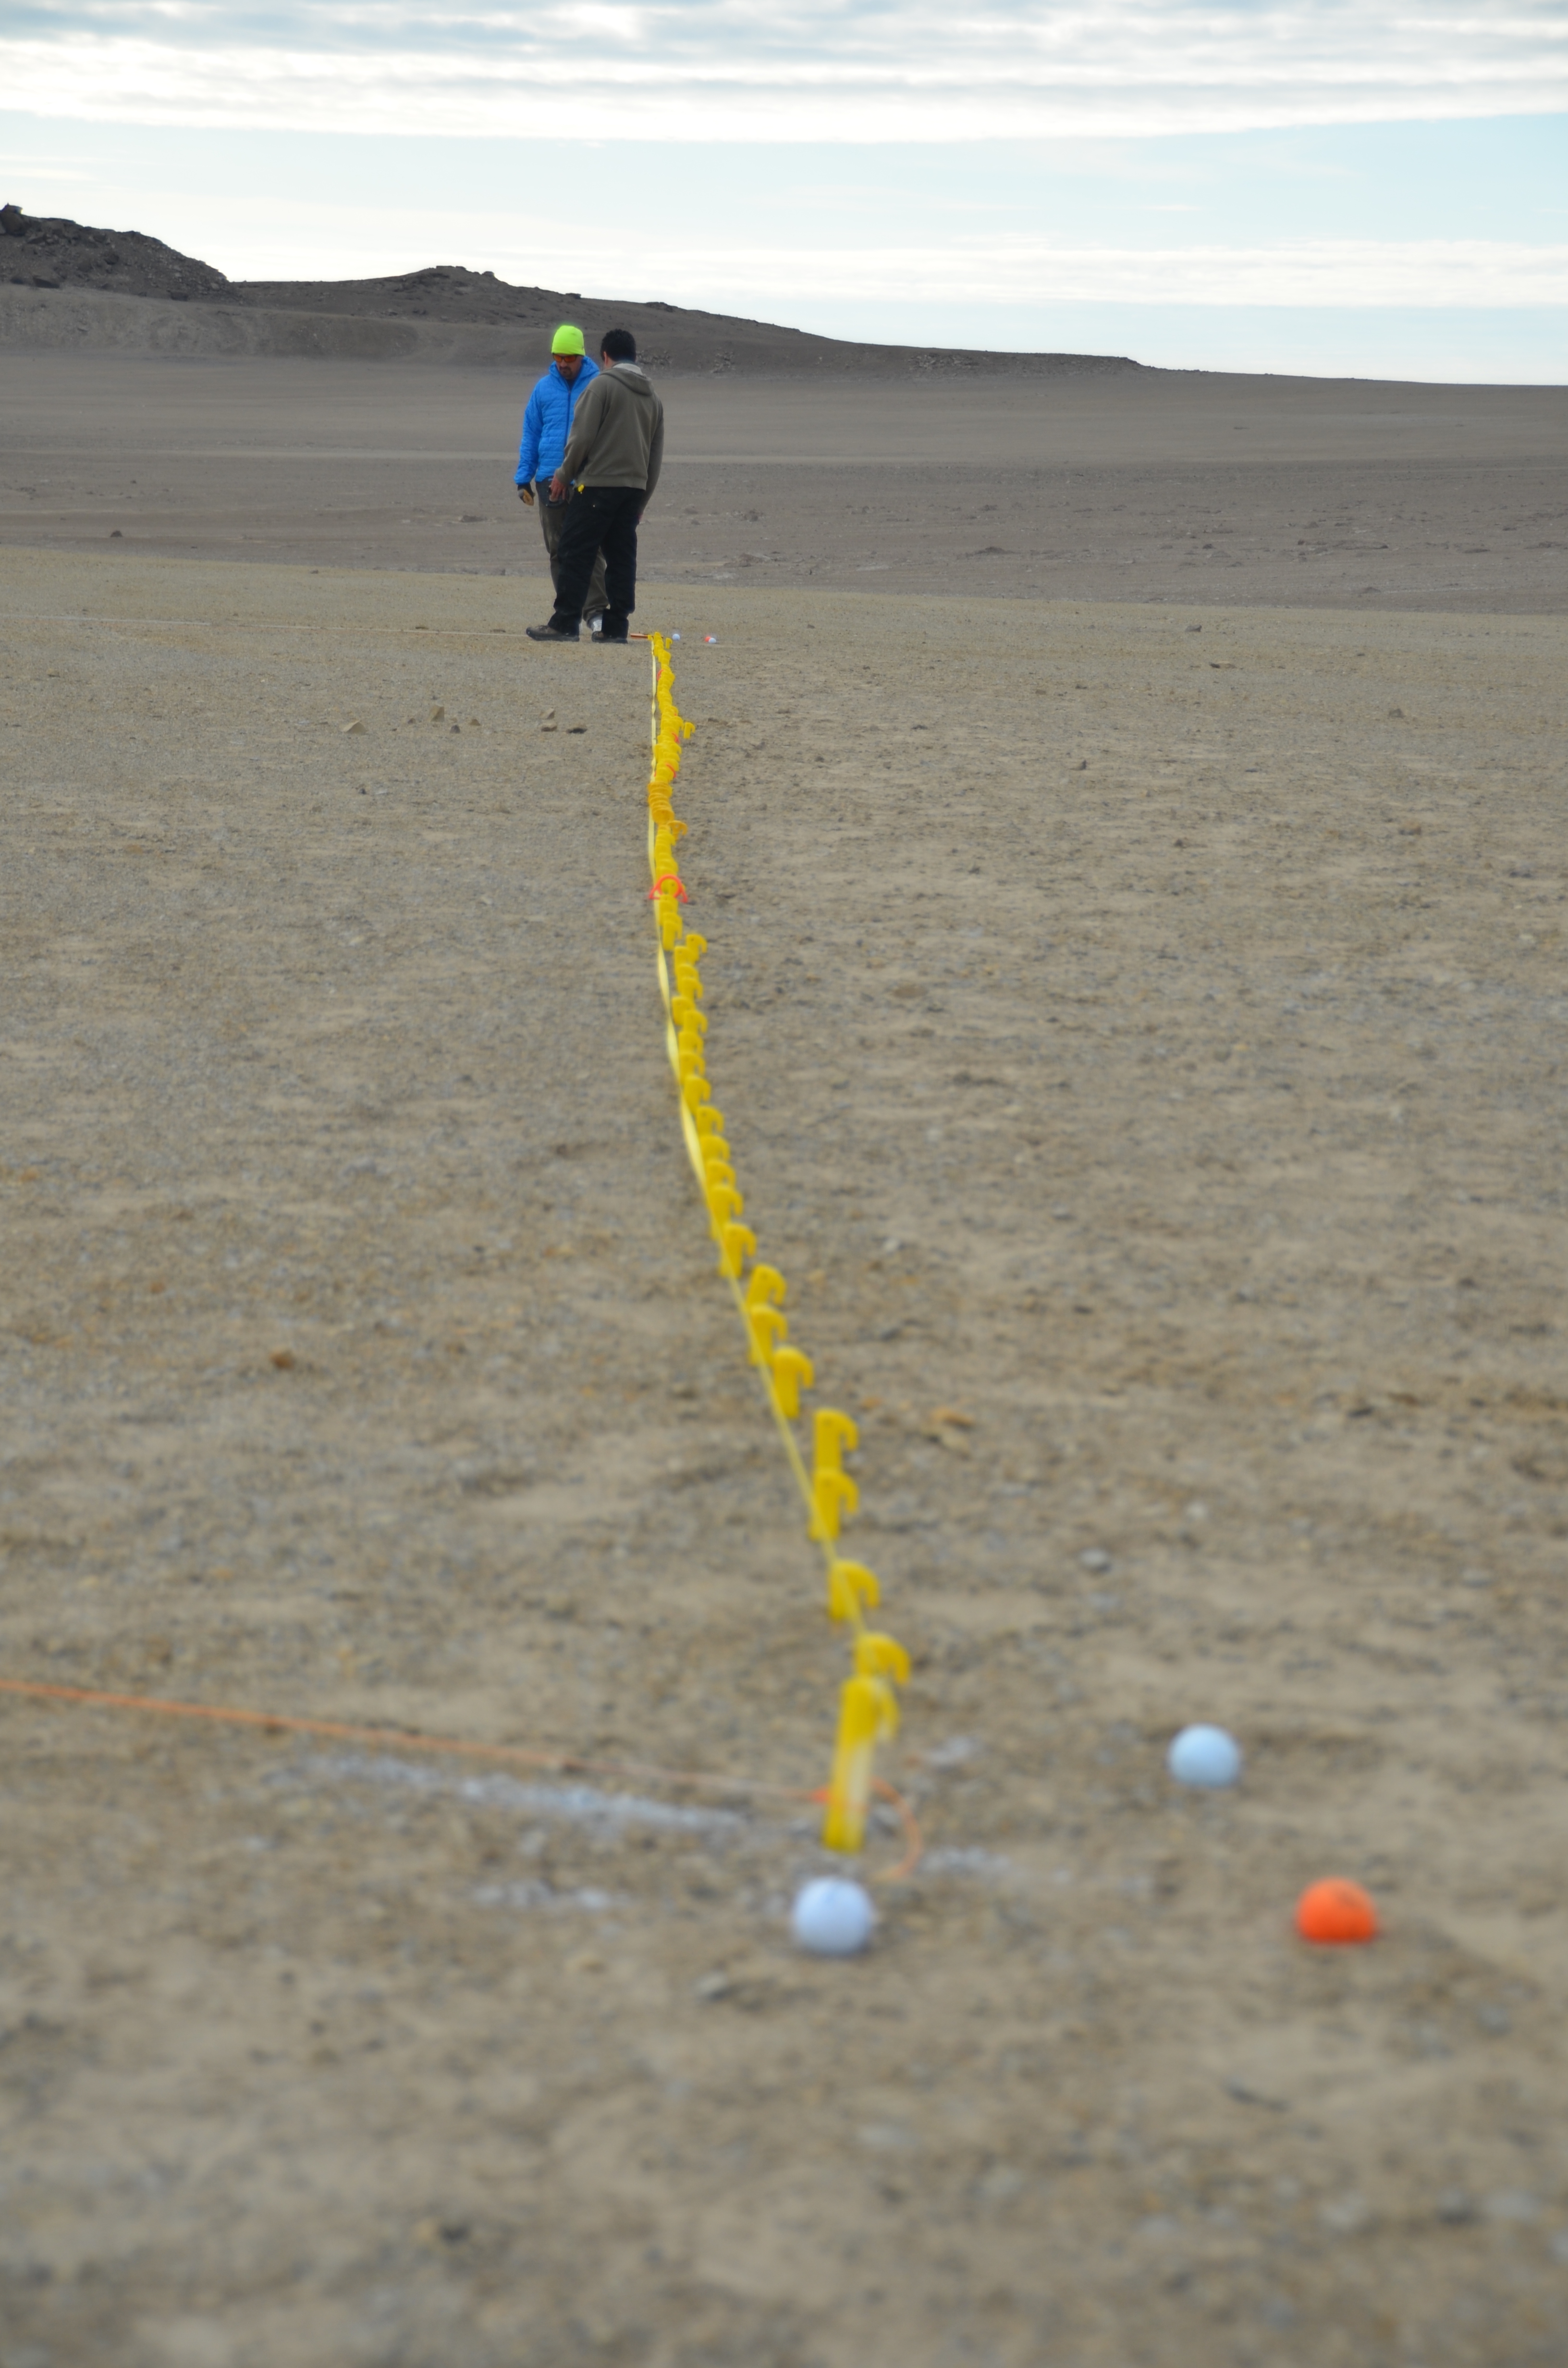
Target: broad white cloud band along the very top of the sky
[[816, 70]]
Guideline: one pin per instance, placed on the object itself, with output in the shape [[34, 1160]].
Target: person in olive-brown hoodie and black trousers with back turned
[[612, 465]]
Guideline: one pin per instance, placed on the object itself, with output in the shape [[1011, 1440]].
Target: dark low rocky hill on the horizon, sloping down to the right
[[65, 285]]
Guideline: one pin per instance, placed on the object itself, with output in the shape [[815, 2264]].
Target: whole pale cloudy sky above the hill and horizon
[[1320, 186]]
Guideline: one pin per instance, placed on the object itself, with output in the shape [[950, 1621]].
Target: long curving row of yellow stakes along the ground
[[868, 1706]]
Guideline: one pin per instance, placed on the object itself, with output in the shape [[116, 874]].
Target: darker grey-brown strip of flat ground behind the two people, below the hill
[[1152, 487]]
